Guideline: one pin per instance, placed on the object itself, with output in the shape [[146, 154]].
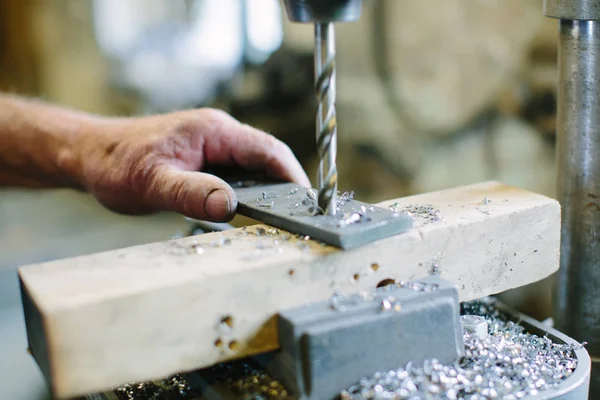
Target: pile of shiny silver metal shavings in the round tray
[[508, 363]]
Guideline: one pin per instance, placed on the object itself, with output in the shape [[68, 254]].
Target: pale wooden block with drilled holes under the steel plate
[[149, 311]]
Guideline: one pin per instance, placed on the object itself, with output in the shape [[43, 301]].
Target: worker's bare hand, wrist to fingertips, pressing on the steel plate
[[141, 165]]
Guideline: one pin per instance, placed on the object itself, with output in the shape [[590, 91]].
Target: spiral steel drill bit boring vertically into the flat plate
[[326, 116]]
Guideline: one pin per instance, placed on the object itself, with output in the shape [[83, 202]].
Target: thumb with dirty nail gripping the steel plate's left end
[[194, 194]]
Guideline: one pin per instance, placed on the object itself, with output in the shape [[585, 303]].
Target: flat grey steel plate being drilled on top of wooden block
[[290, 207]]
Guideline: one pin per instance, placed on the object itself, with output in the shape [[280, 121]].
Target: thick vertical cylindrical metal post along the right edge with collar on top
[[577, 297]]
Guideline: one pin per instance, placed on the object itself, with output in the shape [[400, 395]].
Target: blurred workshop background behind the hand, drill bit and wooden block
[[431, 94]]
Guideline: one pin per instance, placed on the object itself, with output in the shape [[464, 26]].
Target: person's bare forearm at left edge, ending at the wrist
[[38, 142]]
